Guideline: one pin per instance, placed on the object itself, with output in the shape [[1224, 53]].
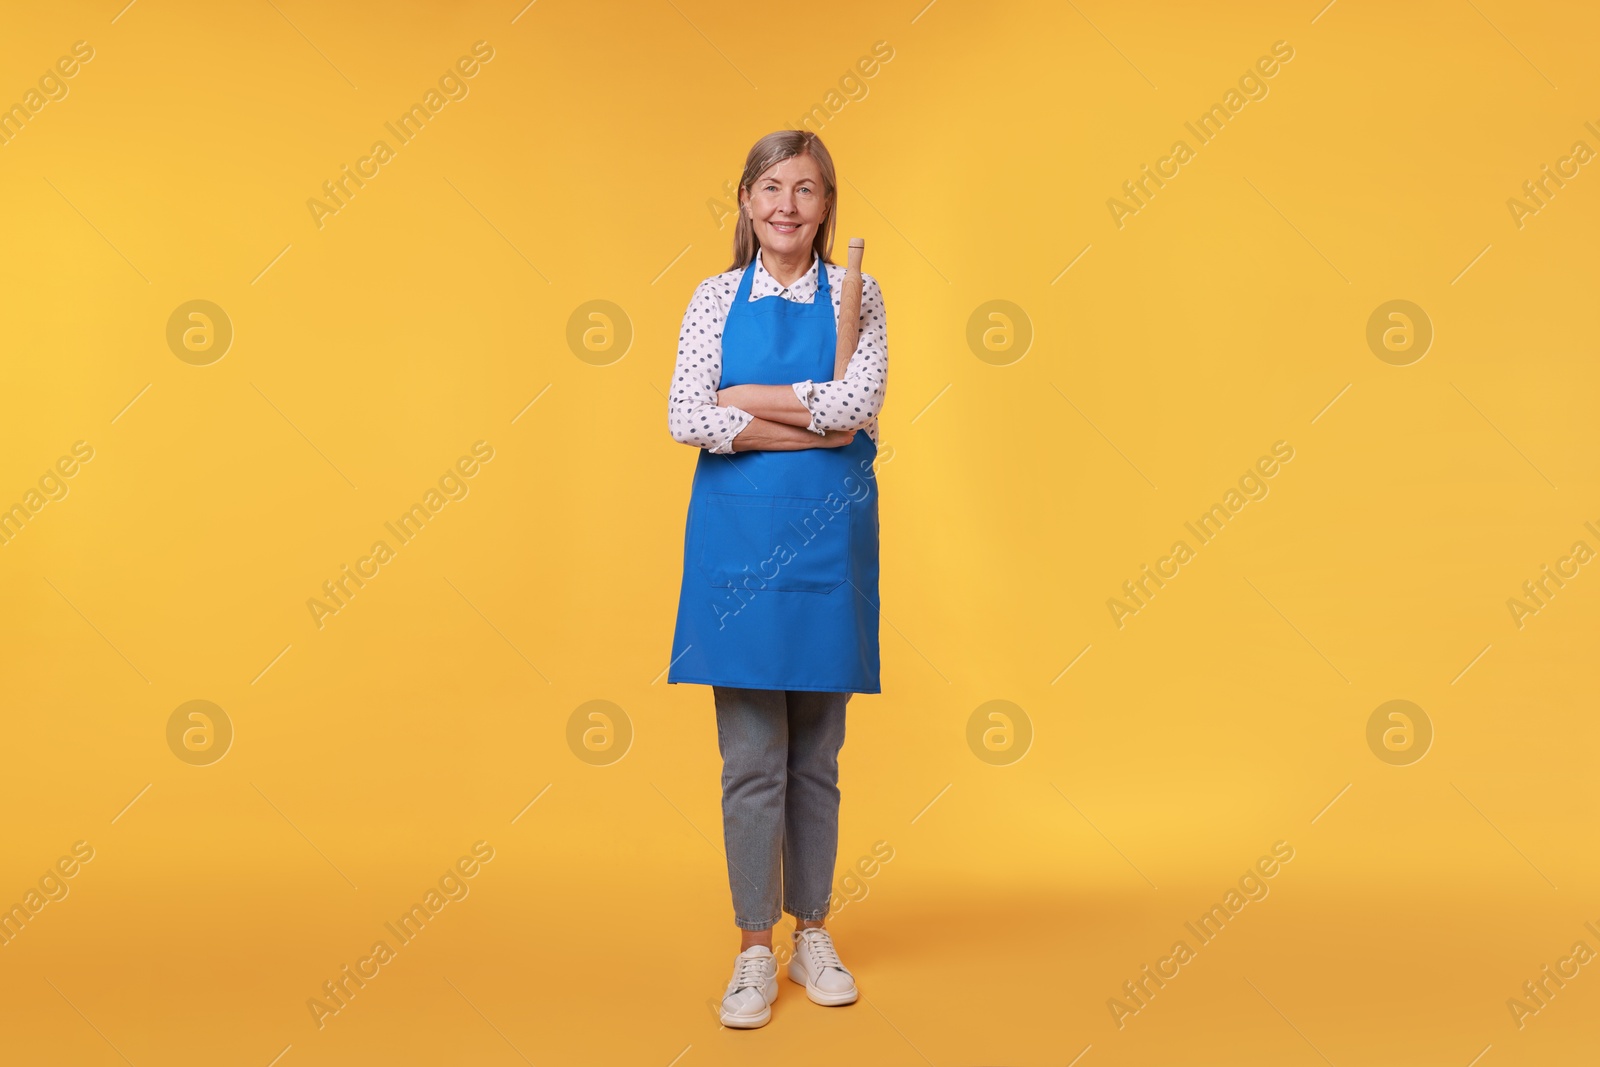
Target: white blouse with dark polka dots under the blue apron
[[849, 404]]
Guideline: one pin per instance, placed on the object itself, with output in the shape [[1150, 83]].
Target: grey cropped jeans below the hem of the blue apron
[[780, 799]]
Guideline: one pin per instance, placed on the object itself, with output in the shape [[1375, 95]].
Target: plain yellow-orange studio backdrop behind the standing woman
[[426, 716]]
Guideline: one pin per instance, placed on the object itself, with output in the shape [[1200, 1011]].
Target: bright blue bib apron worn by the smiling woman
[[782, 548]]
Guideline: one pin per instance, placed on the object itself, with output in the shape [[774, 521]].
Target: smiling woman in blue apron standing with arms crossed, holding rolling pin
[[780, 602]]
